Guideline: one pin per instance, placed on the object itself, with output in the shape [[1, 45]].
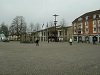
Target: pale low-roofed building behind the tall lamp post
[[62, 34]]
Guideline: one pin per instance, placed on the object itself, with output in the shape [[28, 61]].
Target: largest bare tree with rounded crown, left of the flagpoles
[[18, 26]]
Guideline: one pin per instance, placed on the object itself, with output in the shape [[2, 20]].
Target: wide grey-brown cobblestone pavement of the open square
[[49, 59]]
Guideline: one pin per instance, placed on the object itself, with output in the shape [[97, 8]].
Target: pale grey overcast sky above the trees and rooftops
[[42, 11]]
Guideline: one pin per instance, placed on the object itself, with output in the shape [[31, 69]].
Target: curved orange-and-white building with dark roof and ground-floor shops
[[86, 26]]
